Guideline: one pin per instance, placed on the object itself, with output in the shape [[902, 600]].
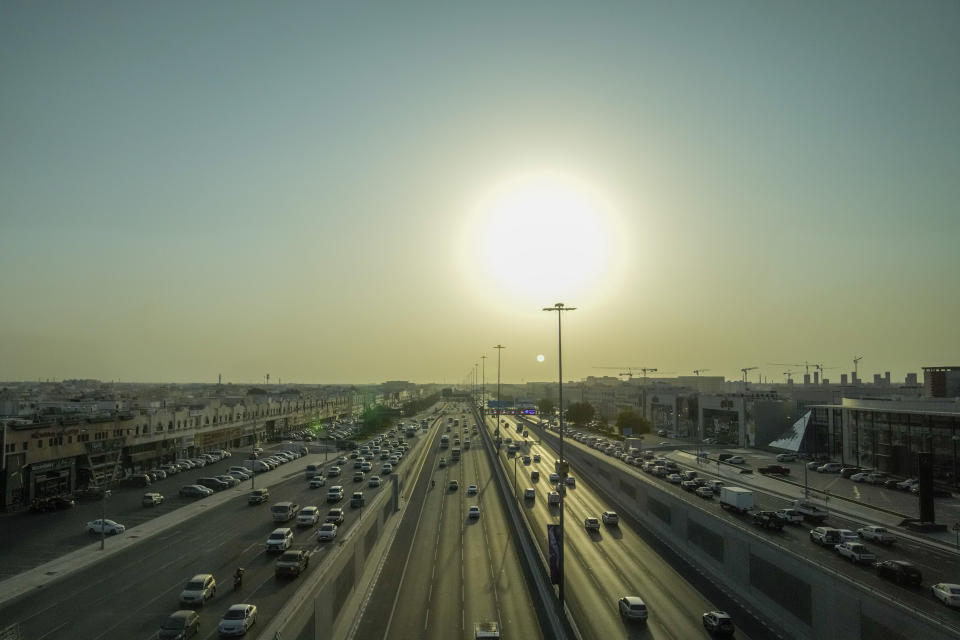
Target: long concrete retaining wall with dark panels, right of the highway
[[800, 598]]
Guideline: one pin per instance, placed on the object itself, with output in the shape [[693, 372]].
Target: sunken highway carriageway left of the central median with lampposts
[[457, 570]]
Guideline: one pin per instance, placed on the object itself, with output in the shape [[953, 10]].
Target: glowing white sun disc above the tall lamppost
[[543, 236]]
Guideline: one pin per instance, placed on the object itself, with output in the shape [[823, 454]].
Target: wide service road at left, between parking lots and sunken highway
[[128, 594]]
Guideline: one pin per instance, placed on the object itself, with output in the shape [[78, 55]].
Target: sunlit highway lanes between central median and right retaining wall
[[603, 566]]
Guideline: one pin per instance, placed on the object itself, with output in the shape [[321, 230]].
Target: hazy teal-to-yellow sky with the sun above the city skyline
[[353, 192]]
